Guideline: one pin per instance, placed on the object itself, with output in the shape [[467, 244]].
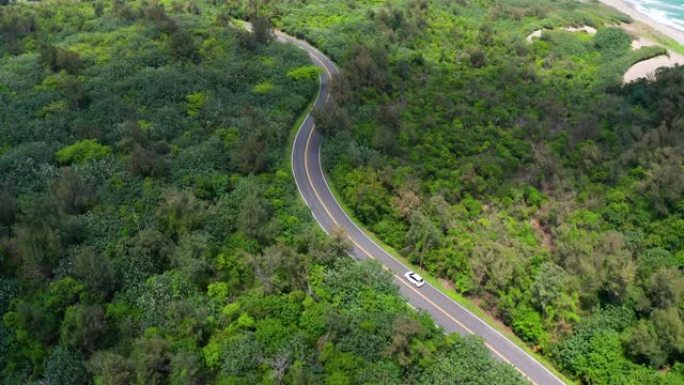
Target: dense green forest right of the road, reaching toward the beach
[[519, 172]]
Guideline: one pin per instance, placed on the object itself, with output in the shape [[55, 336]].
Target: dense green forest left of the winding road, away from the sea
[[150, 229]]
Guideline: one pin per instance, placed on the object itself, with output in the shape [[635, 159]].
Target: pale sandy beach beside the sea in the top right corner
[[647, 68]]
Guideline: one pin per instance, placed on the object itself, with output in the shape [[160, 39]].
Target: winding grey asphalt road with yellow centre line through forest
[[314, 189]]
